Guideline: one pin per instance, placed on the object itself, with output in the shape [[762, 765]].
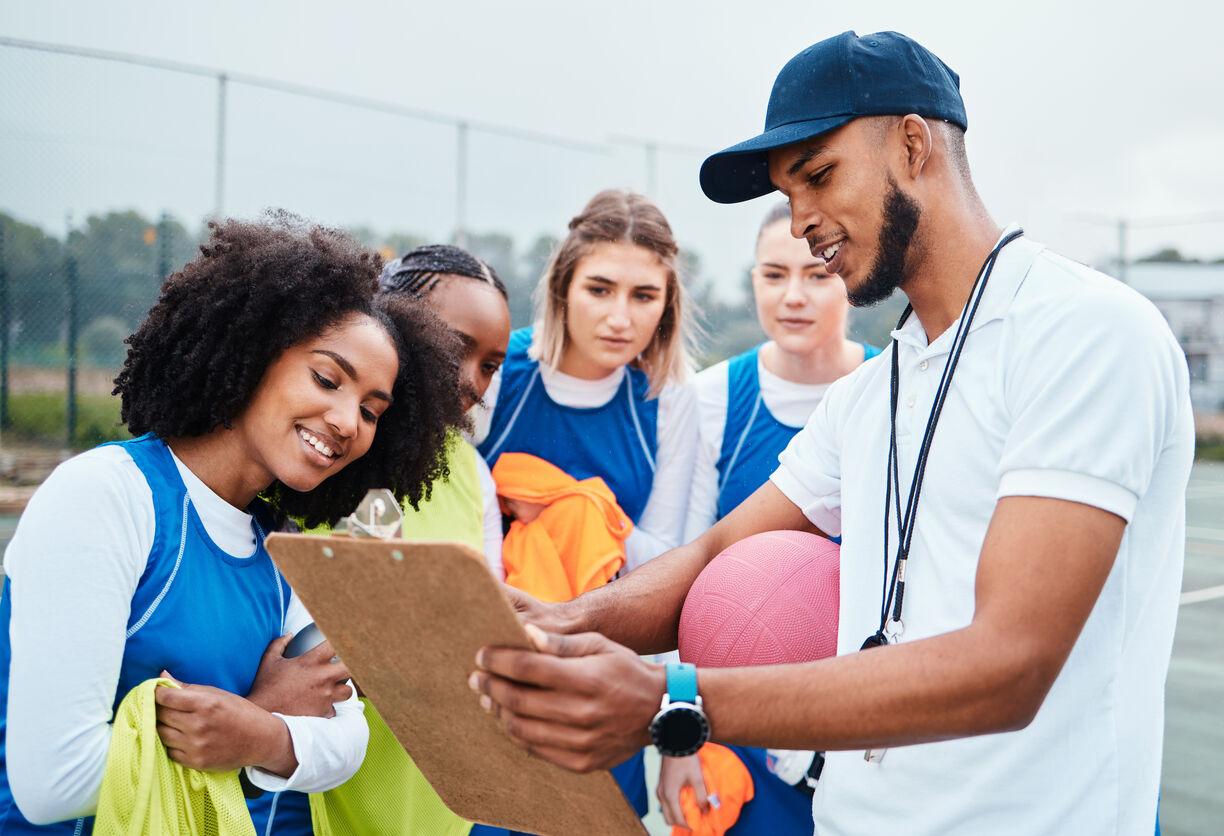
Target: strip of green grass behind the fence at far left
[[42, 418]]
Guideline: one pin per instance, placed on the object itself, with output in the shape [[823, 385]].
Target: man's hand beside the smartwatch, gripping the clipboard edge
[[583, 702]]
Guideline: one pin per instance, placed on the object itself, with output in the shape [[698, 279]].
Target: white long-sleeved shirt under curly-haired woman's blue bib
[[78, 556]]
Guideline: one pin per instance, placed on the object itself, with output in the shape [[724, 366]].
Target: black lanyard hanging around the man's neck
[[894, 592]]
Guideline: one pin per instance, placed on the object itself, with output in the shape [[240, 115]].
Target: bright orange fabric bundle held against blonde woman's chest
[[576, 544]]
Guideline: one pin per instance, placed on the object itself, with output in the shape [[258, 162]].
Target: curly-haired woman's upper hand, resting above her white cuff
[[304, 686]]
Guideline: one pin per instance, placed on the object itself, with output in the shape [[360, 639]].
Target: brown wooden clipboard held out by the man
[[408, 619]]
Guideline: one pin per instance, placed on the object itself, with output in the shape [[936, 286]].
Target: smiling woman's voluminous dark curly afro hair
[[256, 289]]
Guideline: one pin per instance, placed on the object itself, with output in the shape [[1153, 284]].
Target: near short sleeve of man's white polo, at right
[[1094, 390]]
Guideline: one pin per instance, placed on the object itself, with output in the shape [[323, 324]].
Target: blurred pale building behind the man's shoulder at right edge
[[1192, 297]]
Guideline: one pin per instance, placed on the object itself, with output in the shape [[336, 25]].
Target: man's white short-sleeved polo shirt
[[1070, 386]]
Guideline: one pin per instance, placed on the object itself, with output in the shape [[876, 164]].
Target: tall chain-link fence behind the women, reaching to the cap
[[112, 165]]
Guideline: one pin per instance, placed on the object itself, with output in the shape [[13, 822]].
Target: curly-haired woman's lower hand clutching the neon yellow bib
[[214, 730]]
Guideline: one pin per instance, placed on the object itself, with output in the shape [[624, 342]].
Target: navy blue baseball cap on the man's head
[[827, 86]]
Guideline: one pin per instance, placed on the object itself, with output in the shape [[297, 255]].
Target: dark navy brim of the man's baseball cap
[[741, 173]]
